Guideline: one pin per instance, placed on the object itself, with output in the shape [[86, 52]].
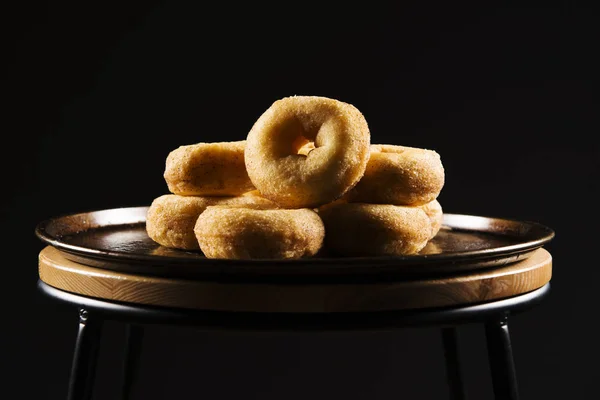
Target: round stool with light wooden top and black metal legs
[[486, 296]]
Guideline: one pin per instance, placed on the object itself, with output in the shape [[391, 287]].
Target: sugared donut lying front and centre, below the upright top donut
[[243, 233]]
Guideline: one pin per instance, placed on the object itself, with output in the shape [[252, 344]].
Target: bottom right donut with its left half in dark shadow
[[360, 229]]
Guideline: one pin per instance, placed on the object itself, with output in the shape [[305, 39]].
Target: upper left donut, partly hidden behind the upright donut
[[208, 169]]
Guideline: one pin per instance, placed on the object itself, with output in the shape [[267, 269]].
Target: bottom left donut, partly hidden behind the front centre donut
[[170, 218]]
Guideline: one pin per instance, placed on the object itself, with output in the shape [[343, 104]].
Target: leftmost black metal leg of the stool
[[83, 368]]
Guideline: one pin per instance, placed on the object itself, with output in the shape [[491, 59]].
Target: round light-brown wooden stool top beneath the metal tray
[[459, 289]]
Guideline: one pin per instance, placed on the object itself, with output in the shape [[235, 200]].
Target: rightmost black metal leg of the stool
[[502, 366]]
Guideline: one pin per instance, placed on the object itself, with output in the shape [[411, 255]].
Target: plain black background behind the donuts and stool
[[97, 96]]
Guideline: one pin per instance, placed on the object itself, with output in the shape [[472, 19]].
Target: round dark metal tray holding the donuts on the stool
[[116, 239]]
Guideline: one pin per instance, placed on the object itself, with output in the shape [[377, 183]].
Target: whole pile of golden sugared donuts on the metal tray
[[306, 181]]
